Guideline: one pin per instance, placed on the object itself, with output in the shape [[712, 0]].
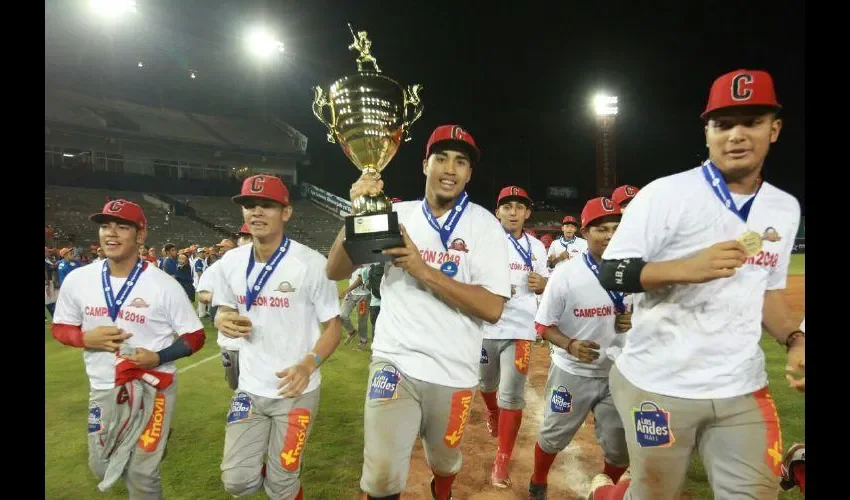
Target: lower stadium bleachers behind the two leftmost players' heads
[[68, 209]]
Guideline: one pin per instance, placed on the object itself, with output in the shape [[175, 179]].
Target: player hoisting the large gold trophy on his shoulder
[[447, 280]]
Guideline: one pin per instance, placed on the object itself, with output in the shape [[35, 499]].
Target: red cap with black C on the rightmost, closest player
[[742, 88]]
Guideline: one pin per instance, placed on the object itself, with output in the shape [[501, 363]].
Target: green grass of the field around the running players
[[333, 458]]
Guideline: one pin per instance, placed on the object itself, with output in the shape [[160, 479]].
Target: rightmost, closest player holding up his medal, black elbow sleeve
[[692, 374]]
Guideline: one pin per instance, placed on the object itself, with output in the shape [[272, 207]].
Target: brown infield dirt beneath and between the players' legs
[[572, 471]]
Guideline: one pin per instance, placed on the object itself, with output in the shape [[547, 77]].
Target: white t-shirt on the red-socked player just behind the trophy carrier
[[517, 321]]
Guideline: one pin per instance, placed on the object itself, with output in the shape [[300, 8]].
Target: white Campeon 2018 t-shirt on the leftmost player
[[156, 308]]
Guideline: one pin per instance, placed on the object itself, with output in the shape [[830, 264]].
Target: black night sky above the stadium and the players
[[519, 78]]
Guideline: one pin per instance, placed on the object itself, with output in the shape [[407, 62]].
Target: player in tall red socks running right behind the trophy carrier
[[506, 350]]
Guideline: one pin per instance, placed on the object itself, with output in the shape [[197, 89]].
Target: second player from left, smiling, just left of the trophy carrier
[[275, 296]]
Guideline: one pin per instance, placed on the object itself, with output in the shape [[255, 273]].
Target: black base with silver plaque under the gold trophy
[[367, 235]]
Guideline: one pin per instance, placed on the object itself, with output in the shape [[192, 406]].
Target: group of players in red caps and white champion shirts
[[653, 317]]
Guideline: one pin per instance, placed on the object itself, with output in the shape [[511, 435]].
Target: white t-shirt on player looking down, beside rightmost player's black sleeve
[[575, 302]]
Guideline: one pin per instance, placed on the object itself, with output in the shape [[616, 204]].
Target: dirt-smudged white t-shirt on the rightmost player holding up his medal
[[701, 341]]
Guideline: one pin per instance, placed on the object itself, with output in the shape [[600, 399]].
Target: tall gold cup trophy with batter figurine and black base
[[370, 114]]
